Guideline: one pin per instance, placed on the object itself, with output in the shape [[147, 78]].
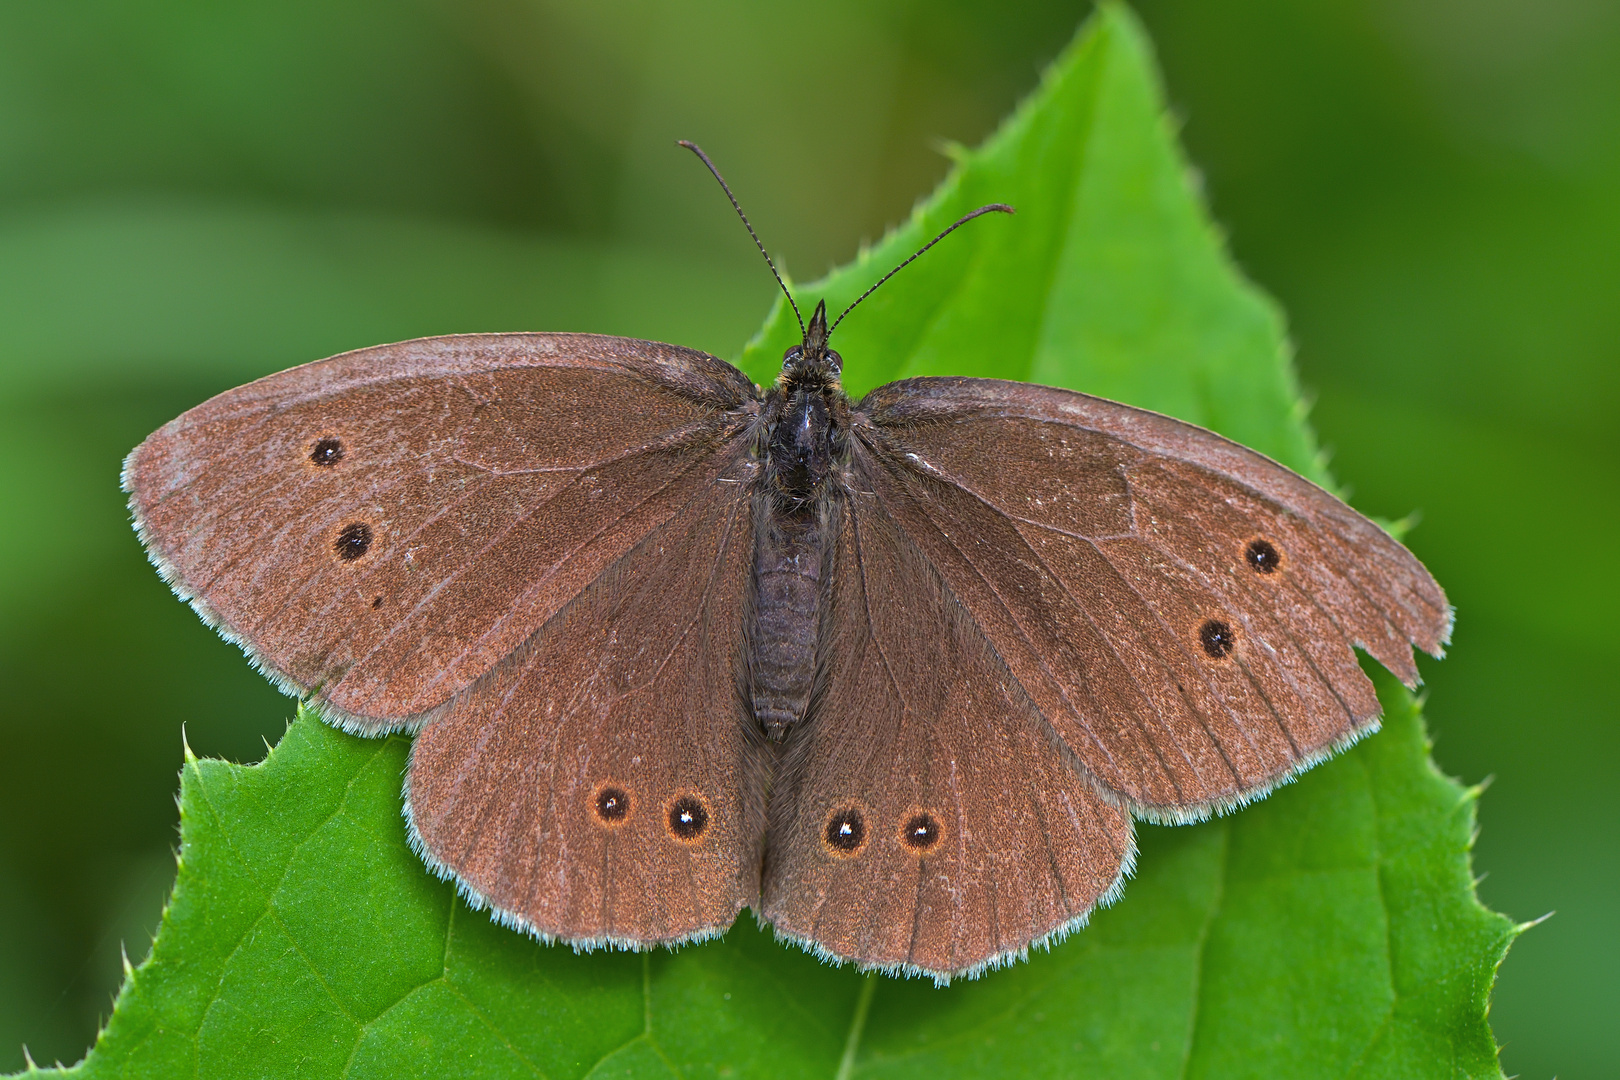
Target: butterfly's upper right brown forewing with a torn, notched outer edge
[[1180, 610]]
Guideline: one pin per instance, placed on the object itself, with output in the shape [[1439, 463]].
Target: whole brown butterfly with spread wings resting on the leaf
[[893, 673]]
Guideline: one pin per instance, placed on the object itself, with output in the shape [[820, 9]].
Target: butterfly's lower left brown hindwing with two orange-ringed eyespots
[[602, 784]]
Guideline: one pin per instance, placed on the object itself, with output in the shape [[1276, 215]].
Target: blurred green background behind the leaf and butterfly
[[198, 193]]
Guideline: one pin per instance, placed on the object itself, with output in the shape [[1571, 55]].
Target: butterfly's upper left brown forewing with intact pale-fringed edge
[[380, 529]]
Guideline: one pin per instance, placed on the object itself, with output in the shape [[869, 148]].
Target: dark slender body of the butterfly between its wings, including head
[[806, 444]]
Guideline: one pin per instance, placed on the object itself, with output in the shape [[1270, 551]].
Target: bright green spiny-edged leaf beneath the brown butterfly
[[1331, 930]]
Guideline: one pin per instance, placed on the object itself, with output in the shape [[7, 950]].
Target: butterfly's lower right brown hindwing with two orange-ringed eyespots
[[926, 819]]
